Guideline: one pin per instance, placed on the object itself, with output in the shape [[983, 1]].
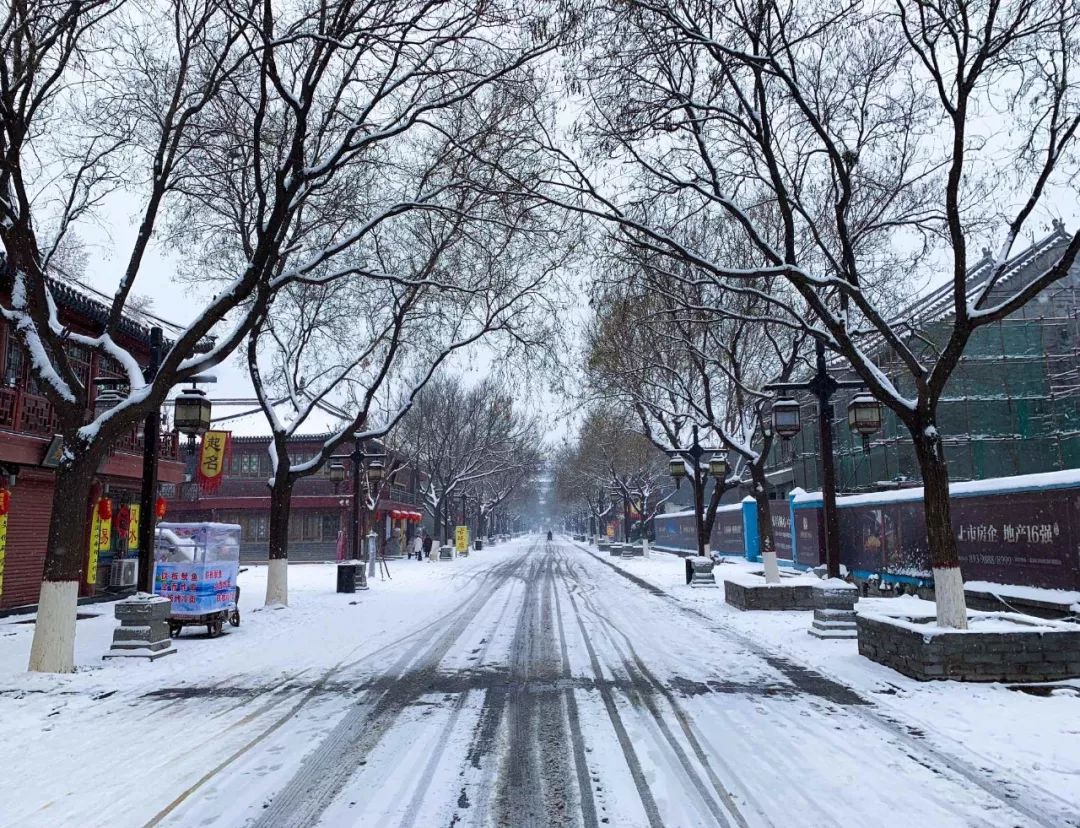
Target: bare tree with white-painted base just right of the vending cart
[[371, 347]]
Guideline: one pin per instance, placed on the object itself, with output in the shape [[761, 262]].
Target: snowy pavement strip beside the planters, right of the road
[[1038, 737]]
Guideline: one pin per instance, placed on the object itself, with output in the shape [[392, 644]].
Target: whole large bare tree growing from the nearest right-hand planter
[[879, 138]]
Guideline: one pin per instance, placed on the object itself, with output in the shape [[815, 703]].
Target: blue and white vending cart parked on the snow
[[196, 567]]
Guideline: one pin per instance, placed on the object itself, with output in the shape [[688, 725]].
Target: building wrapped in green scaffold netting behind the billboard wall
[[1012, 406]]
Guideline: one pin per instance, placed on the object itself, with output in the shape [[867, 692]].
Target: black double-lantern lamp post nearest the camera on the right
[[786, 423]]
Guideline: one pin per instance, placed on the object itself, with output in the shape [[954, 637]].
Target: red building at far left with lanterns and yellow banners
[[28, 436]]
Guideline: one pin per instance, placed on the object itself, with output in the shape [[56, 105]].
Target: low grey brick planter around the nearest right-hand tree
[[1012, 648]]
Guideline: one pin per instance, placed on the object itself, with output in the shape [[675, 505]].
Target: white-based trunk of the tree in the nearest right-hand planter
[[944, 558]]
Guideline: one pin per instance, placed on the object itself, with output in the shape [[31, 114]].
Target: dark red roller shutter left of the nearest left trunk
[[32, 504]]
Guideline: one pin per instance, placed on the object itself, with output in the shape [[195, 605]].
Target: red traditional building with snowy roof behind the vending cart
[[320, 509]]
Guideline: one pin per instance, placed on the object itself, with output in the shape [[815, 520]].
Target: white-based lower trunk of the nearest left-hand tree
[[53, 646]]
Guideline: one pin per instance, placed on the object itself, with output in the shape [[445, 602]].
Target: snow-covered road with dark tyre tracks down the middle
[[545, 689]]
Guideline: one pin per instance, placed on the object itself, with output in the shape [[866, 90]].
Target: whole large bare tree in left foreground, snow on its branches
[[236, 129]]
